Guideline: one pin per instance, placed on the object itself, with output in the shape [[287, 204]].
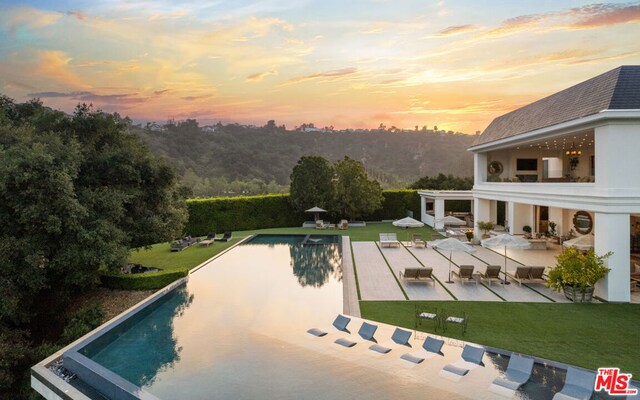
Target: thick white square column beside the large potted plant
[[612, 234]]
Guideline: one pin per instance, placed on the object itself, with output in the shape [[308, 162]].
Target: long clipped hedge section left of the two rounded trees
[[240, 214]]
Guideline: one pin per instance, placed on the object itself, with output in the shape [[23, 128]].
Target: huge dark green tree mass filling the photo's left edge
[[76, 193]]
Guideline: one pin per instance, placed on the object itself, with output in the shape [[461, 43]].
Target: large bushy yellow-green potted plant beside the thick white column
[[577, 272]]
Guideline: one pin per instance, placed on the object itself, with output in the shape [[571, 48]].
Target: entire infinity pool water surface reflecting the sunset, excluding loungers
[[237, 328]]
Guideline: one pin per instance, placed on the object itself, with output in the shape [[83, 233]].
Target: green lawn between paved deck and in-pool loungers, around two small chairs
[[586, 335]]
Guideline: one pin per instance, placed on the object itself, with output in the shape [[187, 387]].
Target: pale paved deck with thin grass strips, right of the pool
[[378, 274]]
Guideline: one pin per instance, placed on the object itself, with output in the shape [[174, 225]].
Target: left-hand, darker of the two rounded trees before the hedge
[[311, 183]]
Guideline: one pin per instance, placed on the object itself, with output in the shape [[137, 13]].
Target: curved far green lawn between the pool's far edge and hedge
[[160, 256]]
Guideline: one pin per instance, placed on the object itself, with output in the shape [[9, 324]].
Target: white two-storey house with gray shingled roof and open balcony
[[570, 160]]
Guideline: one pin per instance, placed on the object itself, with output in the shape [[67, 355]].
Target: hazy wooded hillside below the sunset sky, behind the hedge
[[236, 159]]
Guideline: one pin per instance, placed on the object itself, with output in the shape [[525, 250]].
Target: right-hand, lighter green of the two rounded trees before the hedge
[[355, 194]]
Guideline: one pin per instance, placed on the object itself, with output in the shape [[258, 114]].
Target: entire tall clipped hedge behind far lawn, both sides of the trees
[[274, 211]]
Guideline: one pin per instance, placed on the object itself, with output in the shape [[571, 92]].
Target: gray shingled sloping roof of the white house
[[617, 89]]
